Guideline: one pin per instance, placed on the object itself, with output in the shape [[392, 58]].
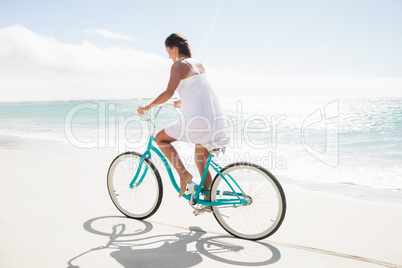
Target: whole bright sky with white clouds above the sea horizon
[[62, 50]]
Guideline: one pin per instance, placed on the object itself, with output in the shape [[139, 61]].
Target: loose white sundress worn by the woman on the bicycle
[[203, 121]]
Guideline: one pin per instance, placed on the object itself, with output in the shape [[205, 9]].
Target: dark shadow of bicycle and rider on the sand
[[132, 245]]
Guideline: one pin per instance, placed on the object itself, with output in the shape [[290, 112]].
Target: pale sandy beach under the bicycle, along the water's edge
[[56, 212]]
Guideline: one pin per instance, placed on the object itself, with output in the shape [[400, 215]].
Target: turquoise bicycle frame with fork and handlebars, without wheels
[[239, 201]]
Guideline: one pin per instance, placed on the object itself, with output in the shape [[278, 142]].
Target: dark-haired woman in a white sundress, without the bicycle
[[203, 120]]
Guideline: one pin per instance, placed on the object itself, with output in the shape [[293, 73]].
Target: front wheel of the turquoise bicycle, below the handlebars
[[141, 201]]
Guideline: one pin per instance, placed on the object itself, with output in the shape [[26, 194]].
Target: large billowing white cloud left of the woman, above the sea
[[35, 67]]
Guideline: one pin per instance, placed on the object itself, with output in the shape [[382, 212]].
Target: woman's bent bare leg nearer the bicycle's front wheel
[[164, 142]]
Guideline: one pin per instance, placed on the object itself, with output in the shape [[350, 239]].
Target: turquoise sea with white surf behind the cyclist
[[317, 139]]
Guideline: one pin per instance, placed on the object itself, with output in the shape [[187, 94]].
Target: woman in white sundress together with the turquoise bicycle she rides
[[246, 199]]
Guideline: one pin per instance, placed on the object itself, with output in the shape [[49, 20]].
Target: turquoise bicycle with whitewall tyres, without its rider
[[246, 199]]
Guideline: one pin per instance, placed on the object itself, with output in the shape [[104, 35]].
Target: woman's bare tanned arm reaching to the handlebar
[[175, 77]]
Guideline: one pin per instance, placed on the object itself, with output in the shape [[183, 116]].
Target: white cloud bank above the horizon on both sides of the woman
[[35, 67]]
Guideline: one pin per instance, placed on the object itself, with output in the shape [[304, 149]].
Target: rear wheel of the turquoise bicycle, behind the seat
[[266, 203]]
